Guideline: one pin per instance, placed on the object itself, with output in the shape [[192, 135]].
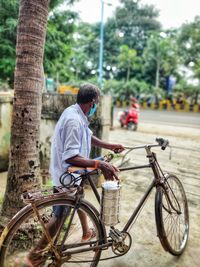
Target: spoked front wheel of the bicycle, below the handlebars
[[172, 223]]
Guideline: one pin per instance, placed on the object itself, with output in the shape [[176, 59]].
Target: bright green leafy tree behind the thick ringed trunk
[[58, 45]]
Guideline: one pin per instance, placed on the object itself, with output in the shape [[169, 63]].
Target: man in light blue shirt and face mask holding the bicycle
[[71, 145]]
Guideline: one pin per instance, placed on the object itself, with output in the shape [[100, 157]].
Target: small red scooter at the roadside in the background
[[129, 118]]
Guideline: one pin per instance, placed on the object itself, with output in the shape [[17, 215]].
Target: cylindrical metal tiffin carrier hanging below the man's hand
[[110, 202]]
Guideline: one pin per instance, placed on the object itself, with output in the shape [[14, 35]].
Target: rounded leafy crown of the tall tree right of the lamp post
[[135, 21]]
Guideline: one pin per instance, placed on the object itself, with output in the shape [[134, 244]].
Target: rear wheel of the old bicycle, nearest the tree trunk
[[26, 235]]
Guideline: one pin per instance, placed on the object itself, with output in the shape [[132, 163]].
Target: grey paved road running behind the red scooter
[[186, 119]]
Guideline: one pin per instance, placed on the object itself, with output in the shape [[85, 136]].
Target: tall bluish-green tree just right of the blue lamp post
[[131, 25]]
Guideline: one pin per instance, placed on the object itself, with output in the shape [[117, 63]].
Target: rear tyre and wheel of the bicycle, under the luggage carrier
[[24, 233]]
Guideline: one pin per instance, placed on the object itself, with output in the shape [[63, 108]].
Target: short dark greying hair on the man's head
[[87, 93]]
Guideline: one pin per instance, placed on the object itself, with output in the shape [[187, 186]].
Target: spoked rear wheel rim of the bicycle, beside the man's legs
[[27, 232]]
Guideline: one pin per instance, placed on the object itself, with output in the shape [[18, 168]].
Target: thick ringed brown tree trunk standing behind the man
[[23, 173]]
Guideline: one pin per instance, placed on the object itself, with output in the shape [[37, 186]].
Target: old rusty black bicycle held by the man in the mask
[[65, 248]]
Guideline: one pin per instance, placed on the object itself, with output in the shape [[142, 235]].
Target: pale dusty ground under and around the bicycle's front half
[[146, 250]]
